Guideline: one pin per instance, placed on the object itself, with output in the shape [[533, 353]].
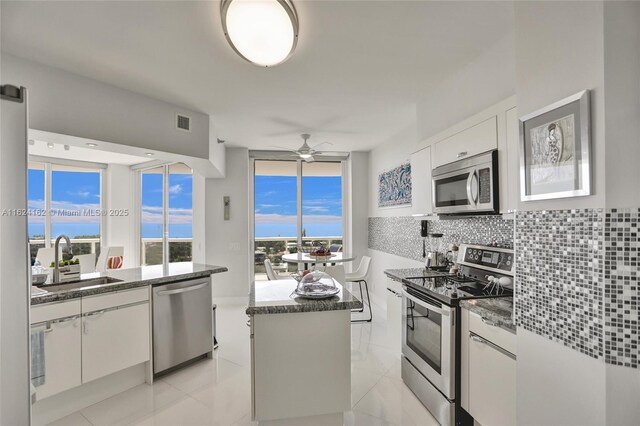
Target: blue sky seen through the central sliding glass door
[[276, 207]]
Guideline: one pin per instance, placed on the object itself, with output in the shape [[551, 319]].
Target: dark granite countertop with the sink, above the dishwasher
[[130, 278]]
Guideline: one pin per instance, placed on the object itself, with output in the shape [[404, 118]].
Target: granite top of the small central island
[[274, 297]]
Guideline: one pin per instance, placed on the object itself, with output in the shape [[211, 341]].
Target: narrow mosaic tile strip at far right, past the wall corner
[[621, 290]]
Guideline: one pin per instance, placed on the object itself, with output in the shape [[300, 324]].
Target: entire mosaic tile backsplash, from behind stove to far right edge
[[576, 271]]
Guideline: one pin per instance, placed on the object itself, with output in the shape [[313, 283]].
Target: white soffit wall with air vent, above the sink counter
[[69, 104]]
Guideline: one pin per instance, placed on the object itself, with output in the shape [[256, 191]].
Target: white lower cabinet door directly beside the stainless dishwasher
[[114, 339]]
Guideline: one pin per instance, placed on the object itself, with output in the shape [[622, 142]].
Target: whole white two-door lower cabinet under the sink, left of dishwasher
[[92, 337]]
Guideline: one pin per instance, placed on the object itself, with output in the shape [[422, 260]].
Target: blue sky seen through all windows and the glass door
[[275, 204]]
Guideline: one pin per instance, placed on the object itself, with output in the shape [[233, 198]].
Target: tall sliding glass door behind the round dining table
[[297, 206]]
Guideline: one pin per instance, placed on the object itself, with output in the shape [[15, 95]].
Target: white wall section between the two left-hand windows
[[122, 230]]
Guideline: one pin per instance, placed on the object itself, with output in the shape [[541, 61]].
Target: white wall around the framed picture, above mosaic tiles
[[559, 49]]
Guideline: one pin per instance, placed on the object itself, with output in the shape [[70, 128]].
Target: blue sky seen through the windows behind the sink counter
[[79, 192]]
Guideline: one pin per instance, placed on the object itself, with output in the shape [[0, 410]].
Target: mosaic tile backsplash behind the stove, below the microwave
[[401, 235]]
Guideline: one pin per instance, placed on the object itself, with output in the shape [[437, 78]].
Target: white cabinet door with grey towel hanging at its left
[[62, 356]]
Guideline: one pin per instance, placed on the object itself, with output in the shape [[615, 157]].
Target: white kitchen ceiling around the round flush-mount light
[[354, 79]]
